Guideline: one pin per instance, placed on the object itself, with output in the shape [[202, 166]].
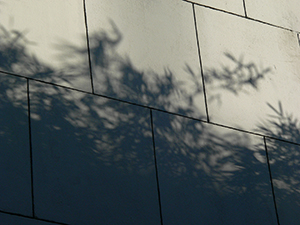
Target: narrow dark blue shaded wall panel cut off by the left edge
[[15, 180]]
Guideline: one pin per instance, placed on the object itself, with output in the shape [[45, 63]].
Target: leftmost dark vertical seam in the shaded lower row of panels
[[30, 150]]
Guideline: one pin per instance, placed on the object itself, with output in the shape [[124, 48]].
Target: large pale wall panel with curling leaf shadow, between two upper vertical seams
[[146, 52]]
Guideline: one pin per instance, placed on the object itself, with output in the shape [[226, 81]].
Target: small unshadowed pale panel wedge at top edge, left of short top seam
[[235, 6]]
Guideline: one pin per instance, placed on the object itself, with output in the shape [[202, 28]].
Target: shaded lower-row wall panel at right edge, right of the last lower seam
[[285, 167]]
